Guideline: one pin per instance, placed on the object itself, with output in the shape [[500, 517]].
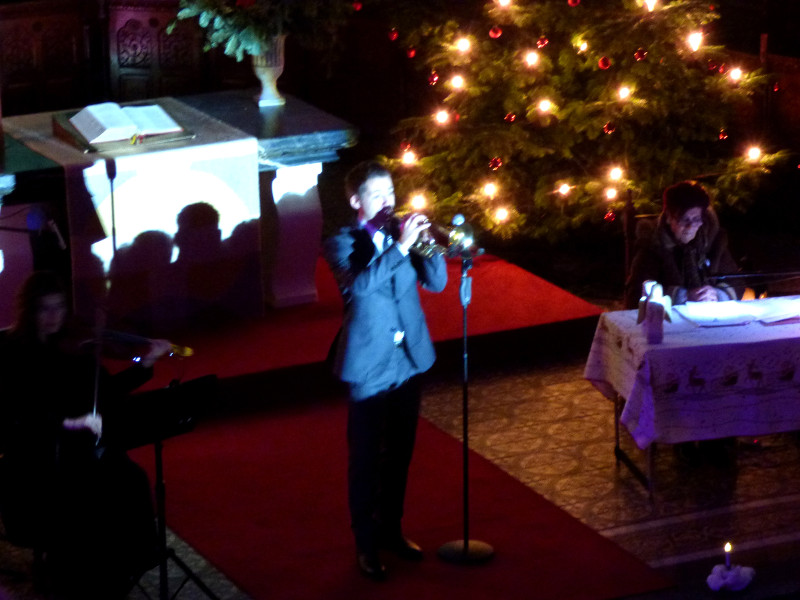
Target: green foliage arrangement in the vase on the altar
[[243, 27]]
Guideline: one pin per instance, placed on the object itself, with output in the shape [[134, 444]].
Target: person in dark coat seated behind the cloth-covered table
[[684, 252]]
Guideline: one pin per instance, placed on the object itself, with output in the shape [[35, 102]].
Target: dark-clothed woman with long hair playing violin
[[66, 488]]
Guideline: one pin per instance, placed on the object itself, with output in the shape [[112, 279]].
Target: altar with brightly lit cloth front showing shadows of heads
[[224, 223]]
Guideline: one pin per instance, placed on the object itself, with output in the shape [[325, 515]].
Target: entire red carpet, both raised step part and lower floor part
[[263, 496]]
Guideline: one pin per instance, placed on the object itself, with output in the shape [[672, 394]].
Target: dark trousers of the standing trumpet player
[[381, 431]]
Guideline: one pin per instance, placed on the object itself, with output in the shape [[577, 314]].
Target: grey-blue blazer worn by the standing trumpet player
[[381, 298]]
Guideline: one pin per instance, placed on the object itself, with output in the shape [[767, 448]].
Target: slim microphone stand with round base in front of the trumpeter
[[465, 551]]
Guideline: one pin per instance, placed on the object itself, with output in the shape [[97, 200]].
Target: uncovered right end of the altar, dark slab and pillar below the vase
[[294, 141]]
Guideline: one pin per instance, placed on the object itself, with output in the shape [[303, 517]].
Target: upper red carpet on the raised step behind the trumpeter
[[504, 297]]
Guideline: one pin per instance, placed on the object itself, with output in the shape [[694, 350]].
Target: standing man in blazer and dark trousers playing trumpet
[[381, 350]]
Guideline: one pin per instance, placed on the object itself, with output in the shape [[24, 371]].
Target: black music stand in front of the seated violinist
[[177, 405]]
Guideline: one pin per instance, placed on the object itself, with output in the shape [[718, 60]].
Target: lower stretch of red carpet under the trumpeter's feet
[[262, 497]]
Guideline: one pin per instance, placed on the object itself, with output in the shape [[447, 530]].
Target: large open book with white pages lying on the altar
[[110, 122]]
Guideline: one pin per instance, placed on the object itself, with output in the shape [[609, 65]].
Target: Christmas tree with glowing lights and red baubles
[[546, 115]]
